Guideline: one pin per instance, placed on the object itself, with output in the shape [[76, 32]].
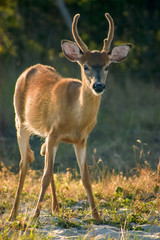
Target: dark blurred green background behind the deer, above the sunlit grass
[[128, 129]]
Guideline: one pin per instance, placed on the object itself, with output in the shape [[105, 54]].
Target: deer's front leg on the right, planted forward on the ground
[[80, 151]]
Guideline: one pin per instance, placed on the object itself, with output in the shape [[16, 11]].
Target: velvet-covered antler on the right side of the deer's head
[[108, 40]]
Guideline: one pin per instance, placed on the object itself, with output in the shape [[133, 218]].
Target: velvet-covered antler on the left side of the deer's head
[[76, 36]]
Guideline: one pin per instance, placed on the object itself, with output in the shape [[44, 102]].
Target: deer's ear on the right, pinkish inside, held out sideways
[[119, 53]]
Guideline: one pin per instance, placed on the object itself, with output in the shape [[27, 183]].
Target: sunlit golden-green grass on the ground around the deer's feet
[[125, 202]]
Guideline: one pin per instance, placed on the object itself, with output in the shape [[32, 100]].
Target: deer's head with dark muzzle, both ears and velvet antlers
[[94, 64]]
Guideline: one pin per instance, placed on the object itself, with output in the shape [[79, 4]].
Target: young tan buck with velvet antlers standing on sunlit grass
[[62, 109]]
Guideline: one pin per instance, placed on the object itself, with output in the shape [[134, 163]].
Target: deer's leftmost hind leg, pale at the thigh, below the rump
[[27, 157]]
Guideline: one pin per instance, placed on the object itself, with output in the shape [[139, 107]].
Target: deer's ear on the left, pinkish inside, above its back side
[[71, 50]]
